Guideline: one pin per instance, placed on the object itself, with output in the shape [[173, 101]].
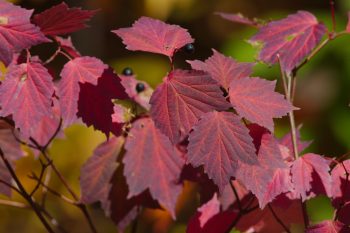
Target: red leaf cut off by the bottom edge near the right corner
[[328, 226]]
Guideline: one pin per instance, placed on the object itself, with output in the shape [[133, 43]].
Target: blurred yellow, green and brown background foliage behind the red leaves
[[322, 94]]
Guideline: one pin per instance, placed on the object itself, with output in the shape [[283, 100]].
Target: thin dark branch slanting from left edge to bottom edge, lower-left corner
[[25, 194]]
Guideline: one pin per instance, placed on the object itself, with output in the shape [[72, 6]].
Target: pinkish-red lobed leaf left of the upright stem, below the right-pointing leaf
[[271, 177]]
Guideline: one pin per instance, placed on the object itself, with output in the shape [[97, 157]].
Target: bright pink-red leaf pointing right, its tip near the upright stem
[[252, 97]]
